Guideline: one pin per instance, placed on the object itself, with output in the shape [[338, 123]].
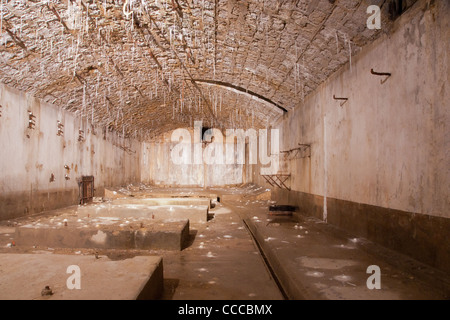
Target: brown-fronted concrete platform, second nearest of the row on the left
[[103, 233]]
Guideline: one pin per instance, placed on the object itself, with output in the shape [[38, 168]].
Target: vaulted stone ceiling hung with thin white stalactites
[[144, 67]]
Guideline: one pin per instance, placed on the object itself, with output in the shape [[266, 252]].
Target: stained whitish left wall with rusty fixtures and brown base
[[30, 156]]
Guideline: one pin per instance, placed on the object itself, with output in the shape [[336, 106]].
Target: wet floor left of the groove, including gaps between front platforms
[[221, 261]]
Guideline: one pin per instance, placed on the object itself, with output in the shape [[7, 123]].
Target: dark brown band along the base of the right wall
[[420, 236]]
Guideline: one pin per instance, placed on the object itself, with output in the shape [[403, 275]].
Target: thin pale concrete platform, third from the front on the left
[[145, 208]]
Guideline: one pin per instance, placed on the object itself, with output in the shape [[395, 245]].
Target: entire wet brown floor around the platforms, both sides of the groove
[[310, 259]]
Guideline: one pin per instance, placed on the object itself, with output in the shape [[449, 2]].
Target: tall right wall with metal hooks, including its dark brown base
[[380, 164]]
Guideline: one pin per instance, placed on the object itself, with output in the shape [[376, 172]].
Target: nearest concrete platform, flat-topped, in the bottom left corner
[[23, 276]]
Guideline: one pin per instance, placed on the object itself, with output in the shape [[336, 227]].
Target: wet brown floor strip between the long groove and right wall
[[315, 261]]
